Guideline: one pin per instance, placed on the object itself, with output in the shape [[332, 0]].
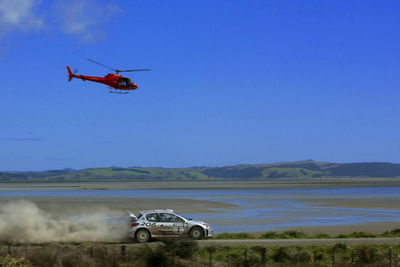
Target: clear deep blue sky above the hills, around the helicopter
[[233, 82]]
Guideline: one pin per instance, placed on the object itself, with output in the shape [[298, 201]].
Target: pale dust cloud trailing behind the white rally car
[[24, 222]]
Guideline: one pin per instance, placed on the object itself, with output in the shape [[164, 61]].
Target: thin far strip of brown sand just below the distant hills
[[226, 184]]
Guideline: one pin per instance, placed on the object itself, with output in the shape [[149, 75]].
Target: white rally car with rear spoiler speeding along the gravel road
[[165, 223]]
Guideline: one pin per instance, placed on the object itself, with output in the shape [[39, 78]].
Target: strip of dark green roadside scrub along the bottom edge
[[187, 253]]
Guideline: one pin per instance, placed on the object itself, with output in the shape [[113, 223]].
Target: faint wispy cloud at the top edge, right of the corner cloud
[[84, 18]]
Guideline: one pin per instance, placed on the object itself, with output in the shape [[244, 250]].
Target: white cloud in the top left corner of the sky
[[19, 15]]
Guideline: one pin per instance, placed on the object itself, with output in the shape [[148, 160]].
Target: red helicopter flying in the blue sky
[[115, 81]]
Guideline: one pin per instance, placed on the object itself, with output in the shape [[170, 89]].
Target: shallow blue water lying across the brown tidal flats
[[258, 209]]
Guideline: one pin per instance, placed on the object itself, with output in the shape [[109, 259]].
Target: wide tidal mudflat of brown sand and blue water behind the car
[[329, 205]]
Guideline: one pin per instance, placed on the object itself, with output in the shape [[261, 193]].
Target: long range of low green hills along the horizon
[[298, 169]]
